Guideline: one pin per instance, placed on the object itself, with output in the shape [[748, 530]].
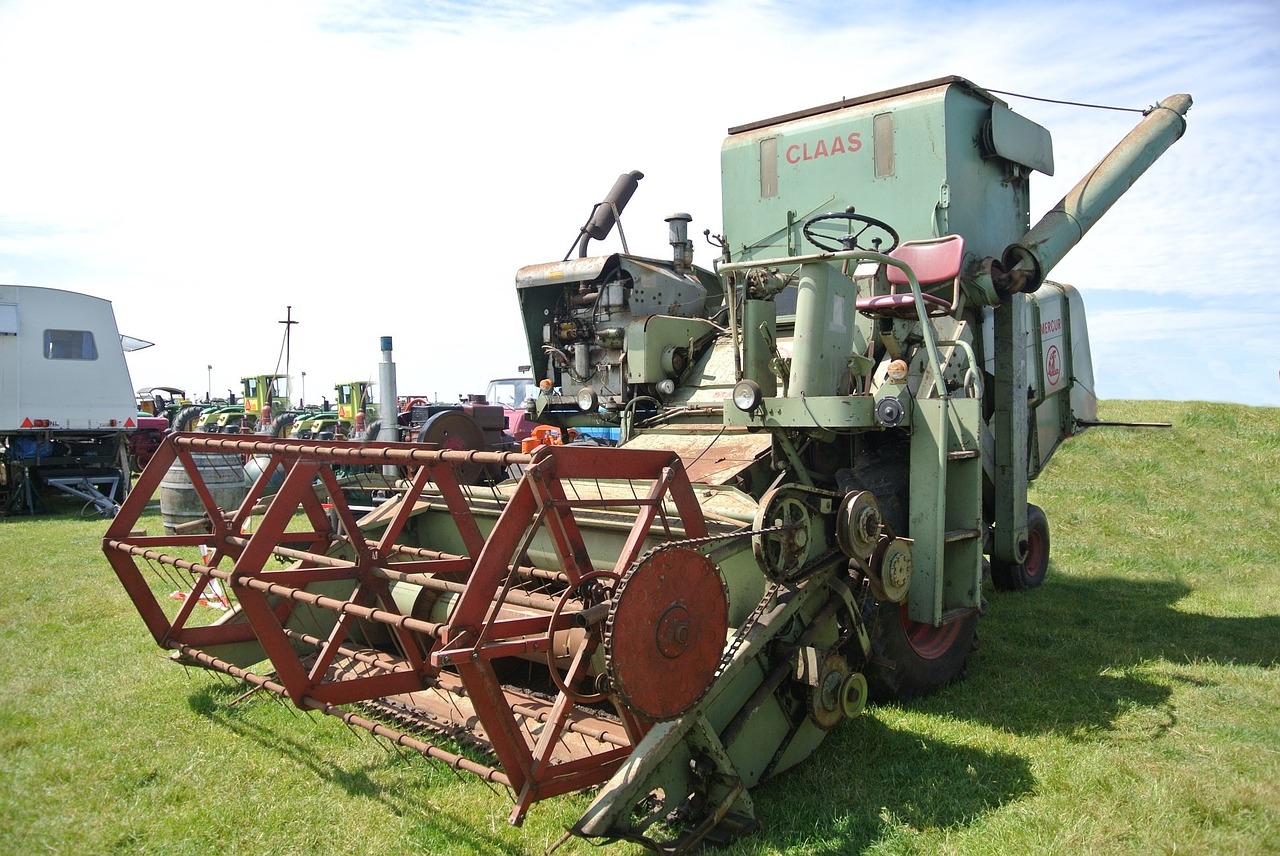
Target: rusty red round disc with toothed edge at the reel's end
[[666, 633]]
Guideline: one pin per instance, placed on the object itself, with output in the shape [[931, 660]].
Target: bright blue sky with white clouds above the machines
[[385, 170]]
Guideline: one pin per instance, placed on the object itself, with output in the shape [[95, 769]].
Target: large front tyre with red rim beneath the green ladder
[[911, 660]]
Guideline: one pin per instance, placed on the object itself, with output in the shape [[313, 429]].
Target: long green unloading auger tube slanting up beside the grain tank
[[1027, 262]]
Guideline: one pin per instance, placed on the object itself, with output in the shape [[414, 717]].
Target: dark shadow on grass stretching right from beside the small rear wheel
[[1069, 658]]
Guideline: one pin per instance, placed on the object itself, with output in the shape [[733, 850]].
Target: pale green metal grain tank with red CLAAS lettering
[[940, 178]]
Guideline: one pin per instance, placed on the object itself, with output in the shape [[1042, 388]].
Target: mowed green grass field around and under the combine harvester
[[1131, 706]]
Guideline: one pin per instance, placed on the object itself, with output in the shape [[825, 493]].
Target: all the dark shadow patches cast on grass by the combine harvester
[[1064, 660]]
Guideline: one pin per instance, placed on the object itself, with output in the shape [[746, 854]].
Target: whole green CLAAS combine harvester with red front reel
[[824, 445]]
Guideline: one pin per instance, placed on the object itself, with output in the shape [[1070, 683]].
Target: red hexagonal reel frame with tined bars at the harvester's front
[[455, 657]]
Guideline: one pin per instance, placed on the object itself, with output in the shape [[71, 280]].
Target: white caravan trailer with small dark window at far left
[[67, 402]]
